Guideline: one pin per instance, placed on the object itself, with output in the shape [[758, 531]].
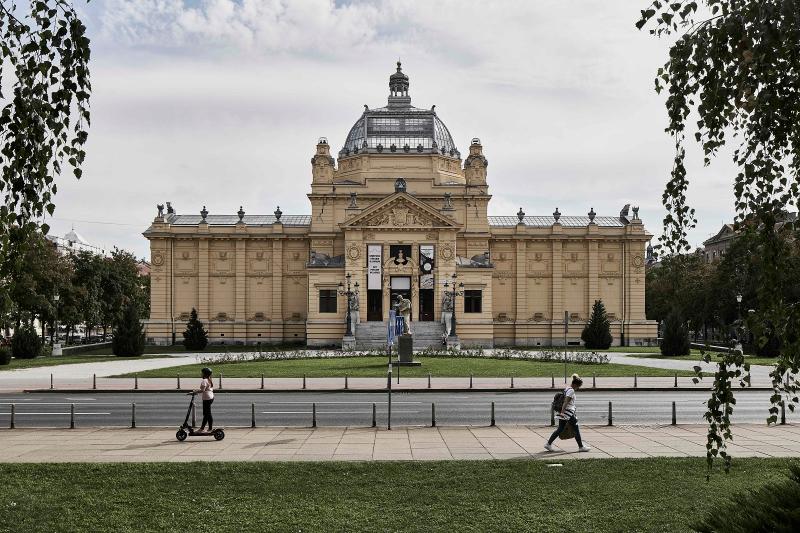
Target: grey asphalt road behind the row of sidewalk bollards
[[355, 409]]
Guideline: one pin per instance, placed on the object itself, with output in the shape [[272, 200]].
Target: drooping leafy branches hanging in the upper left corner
[[44, 52]]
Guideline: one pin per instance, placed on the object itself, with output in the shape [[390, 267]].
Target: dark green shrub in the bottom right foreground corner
[[773, 507]]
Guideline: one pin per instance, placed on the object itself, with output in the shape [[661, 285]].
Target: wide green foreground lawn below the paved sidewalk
[[582, 495]]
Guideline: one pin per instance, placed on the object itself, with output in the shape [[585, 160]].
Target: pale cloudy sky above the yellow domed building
[[220, 103]]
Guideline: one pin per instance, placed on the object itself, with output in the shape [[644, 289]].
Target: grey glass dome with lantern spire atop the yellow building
[[399, 127]]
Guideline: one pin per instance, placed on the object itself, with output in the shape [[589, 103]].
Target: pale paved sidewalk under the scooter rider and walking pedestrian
[[368, 444]]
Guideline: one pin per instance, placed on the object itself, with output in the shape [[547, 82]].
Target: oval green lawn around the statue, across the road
[[369, 366]]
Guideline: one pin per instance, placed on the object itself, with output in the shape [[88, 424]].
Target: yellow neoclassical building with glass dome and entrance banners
[[402, 213]]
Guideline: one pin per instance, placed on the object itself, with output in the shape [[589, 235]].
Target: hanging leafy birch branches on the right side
[[735, 66]]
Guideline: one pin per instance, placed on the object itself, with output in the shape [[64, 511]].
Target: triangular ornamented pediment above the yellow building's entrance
[[400, 210]]
